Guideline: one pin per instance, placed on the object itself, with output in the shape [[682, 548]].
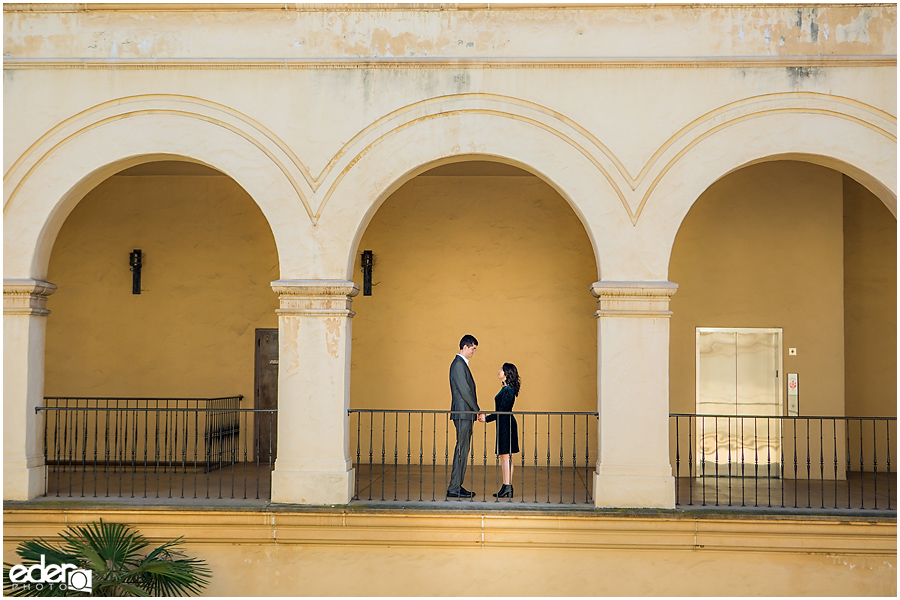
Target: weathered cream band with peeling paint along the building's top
[[524, 33]]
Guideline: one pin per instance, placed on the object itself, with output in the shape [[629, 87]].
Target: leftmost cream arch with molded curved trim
[[49, 180]]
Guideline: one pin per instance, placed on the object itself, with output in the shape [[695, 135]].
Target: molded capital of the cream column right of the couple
[[633, 298]]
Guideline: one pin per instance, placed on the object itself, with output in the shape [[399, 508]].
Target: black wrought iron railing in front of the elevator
[[792, 462]]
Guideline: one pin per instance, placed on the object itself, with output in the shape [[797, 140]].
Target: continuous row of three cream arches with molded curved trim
[[630, 218]]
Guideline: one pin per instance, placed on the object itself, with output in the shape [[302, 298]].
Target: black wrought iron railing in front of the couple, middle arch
[[407, 456]]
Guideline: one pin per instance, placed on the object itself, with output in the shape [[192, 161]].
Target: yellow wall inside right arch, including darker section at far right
[[784, 244]]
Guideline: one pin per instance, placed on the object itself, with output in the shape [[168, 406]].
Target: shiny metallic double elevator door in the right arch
[[738, 376]]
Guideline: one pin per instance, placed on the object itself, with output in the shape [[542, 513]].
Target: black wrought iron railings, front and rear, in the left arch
[[157, 447]]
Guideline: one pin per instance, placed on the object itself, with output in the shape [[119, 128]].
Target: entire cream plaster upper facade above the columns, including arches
[[630, 112]]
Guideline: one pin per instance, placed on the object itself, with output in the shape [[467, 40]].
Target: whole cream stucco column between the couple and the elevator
[[633, 468]]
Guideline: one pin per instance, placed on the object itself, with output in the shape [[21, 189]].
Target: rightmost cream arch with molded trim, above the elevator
[[783, 132]]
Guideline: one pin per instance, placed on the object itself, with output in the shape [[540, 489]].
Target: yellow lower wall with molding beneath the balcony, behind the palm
[[461, 553]]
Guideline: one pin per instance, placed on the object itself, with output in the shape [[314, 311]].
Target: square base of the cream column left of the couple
[[313, 487]]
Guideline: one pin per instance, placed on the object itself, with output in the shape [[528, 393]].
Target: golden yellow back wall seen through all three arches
[[519, 285]]
